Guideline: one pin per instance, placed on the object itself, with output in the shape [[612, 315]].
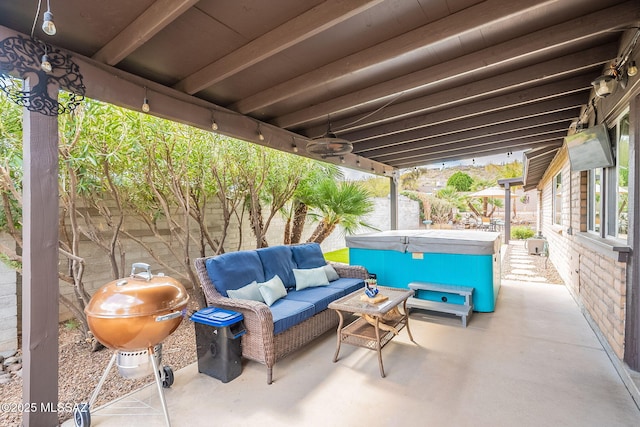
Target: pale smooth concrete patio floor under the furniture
[[535, 361]]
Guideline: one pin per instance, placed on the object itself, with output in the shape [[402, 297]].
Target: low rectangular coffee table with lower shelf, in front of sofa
[[360, 332]]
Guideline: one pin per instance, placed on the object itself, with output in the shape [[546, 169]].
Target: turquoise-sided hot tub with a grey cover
[[450, 257]]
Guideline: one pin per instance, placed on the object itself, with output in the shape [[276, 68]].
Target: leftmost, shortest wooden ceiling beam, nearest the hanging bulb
[[160, 14]]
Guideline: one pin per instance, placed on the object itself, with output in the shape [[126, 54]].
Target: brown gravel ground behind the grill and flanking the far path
[[80, 370]]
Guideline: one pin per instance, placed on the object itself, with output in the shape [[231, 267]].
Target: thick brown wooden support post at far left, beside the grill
[[40, 267]]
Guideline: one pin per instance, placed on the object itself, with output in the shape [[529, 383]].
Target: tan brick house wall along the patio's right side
[[590, 270]]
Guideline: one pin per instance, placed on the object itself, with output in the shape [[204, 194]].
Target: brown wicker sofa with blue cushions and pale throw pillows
[[293, 320]]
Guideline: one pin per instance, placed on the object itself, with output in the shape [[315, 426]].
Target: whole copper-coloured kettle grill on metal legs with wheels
[[132, 316]]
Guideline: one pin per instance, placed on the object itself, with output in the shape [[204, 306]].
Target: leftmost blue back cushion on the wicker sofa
[[234, 270]]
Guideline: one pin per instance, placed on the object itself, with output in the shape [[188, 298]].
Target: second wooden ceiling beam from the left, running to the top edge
[[318, 19]]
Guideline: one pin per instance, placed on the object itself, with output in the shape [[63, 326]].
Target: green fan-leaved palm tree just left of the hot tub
[[343, 203]]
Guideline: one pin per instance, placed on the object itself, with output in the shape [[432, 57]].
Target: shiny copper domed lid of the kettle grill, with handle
[[141, 294]]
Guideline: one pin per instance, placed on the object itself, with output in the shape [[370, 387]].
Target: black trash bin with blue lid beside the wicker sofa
[[218, 342]]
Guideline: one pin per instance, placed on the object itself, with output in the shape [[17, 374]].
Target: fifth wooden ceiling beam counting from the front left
[[558, 68]]
